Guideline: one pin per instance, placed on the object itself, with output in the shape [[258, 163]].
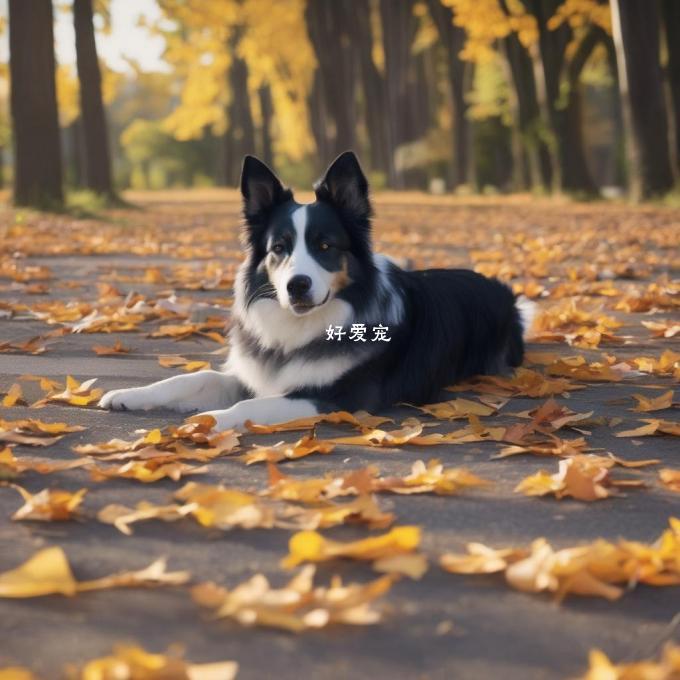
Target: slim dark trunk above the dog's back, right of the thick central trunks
[[453, 39]]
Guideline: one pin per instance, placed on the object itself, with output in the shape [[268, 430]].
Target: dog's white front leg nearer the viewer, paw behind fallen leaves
[[264, 410]]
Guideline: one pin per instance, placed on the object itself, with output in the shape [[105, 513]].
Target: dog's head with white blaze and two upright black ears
[[305, 255]]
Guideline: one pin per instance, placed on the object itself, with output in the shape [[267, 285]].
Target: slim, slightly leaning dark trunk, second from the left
[[97, 170]]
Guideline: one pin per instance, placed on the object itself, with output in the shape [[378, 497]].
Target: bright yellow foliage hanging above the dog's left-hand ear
[[270, 37]]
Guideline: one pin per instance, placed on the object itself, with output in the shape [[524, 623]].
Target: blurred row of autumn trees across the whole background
[[576, 96]]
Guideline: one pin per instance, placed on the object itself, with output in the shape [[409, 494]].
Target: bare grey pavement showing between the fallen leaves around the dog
[[444, 626]]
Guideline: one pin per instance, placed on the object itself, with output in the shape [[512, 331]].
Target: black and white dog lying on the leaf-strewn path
[[320, 323]]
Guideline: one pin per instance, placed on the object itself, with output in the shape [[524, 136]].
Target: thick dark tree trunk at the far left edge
[[37, 149]]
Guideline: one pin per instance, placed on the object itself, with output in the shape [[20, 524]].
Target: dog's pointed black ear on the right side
[[345, 186]]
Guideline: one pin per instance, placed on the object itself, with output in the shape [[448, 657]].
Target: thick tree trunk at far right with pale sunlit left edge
[[636, 36]]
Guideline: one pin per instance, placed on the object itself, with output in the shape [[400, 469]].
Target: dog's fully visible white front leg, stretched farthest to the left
[[192, 392]]
